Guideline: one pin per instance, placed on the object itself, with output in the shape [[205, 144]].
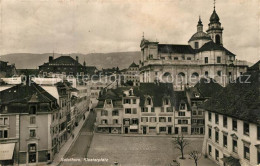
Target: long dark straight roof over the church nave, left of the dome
[[175, 48]]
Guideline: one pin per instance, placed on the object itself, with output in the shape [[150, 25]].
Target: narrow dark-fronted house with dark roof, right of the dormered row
[[197, 95]]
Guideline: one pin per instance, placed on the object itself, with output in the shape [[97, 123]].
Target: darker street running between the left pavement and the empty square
[[81, 146]]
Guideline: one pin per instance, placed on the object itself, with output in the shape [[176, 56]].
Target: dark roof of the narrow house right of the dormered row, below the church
[[208, 87]]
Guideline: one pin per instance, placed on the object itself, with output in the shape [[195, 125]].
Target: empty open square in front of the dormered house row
[[136, 150]]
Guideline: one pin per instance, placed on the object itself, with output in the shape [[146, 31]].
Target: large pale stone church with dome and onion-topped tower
[[183, 65]]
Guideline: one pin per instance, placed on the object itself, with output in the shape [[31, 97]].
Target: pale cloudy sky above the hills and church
[[99, 26]]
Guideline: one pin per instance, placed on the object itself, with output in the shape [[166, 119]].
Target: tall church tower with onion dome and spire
[[215, 30]]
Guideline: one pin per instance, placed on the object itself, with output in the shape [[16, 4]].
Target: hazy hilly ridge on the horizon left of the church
[[100, 60]]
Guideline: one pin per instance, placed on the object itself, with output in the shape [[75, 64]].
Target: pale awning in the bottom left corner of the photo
[[6, 151]]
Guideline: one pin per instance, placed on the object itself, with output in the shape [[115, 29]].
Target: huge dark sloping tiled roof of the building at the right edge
[[240, 99]]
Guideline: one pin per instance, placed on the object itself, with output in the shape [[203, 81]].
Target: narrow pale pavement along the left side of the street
[[65, 148]]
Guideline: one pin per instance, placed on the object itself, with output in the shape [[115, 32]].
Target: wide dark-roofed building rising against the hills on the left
[[65, 65]]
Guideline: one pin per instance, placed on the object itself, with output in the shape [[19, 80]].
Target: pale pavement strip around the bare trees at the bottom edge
[[190, 162]]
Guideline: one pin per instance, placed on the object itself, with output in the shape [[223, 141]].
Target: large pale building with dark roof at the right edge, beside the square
[[232, 123]]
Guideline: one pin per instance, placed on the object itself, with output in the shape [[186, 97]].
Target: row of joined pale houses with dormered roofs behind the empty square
[[147, 109]]
